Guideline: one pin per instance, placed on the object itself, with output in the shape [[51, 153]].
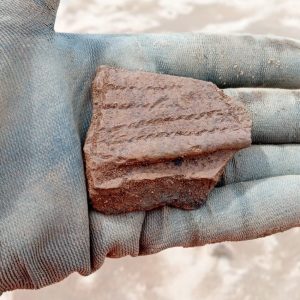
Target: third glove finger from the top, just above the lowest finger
[[262, 161]]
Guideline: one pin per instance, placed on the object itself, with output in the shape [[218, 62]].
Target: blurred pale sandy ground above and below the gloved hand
[[267, 268]]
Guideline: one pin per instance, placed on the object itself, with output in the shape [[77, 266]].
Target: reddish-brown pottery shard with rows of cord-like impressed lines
[[158, 140]]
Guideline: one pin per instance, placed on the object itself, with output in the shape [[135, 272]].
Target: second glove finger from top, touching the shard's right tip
[[275, 113]]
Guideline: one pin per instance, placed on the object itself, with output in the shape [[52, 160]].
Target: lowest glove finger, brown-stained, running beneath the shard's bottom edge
[[235, 212]]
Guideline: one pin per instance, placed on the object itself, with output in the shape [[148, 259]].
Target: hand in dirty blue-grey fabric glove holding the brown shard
[[47, 230]]
